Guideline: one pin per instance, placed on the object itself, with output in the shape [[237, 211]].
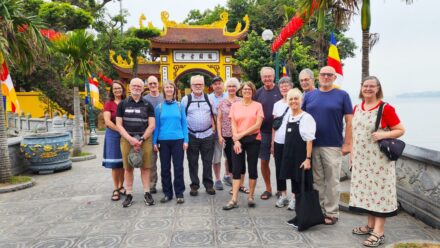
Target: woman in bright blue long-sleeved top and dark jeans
[[170, 139]]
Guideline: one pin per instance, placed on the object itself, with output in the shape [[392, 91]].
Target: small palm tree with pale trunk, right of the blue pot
[[82, 59]]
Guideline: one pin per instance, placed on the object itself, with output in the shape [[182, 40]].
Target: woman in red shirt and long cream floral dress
[[373, 179]]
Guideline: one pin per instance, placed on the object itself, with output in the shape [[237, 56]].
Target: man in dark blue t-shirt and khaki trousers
[[329, 107]]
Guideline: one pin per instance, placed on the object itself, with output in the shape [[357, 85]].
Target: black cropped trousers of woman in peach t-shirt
[[250, 147]]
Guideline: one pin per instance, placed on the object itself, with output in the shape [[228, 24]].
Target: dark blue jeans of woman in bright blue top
[[172, 149]]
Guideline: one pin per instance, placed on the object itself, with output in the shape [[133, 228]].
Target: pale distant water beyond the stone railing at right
[[421, 118]]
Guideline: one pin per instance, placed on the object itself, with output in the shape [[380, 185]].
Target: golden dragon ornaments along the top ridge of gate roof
[[221, 24]]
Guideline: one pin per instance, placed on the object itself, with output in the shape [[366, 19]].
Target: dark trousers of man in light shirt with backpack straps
[[205, 147]]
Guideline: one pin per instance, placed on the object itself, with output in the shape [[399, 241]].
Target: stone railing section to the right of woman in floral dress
[[418, 183]]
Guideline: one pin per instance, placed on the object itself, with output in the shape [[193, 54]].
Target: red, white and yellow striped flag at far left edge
[[8, 90]]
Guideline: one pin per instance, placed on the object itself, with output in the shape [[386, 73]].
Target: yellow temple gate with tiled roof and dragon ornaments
[[183, 48]]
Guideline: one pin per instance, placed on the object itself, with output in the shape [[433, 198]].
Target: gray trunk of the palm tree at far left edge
[[5, 163]]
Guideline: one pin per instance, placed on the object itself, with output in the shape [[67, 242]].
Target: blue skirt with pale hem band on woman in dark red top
[[112, 157]]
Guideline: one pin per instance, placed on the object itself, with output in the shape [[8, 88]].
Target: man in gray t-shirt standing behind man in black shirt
[[154, 97]]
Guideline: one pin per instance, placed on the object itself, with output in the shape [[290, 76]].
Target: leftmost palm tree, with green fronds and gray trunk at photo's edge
[[21, 43]]
